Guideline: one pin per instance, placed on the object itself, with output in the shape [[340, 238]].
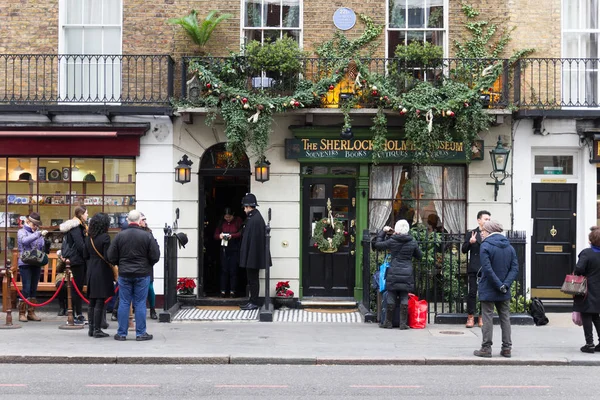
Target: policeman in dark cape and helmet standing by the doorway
[[252, 249]]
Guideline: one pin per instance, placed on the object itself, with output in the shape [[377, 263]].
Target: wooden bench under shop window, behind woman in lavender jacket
[[47, 279]]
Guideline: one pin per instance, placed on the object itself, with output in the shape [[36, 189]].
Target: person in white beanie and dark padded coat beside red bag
[[399, 275]]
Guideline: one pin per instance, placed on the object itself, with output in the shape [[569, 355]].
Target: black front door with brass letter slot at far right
[[554, 211]]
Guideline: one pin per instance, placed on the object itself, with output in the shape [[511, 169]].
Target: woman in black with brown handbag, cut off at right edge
[[588, 265]]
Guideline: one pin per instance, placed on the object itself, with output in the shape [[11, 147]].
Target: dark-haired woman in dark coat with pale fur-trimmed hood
[[75, 231]]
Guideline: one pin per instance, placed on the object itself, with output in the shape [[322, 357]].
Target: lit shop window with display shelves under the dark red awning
[[54, 186]]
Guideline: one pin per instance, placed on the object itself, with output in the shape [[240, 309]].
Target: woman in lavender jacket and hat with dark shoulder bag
[[29, 238]]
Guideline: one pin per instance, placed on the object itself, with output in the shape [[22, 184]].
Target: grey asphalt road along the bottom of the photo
[[21, 381]]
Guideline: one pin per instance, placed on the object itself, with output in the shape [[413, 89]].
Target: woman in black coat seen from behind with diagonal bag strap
[[99, 278]]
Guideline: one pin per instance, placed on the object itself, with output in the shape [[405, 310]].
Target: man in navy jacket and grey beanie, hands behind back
[[499, 269]]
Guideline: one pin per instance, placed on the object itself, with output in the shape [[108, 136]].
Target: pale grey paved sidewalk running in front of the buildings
[[293, 343]]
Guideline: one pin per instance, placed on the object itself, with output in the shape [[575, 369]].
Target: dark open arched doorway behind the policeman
[[222, 184]]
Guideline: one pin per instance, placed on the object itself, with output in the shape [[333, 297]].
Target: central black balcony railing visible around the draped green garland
[[400, 74]]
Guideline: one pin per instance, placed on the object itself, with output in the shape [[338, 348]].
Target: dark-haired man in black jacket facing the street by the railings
[[471, 246]]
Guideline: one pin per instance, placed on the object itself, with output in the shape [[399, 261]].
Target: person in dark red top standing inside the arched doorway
[[229, 233]]
